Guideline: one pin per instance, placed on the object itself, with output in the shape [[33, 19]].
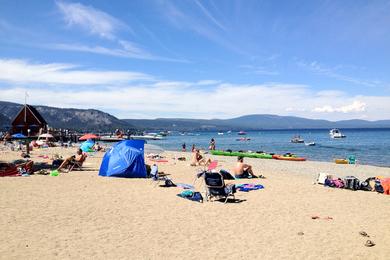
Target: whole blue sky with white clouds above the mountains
[[199, 59]]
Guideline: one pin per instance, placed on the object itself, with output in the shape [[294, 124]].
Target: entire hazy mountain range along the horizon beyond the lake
[[95, 120]]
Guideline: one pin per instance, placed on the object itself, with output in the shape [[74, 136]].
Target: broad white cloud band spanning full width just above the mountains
[[149, 97]]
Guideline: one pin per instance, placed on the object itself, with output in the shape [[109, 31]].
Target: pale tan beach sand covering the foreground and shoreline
[[81, 215]]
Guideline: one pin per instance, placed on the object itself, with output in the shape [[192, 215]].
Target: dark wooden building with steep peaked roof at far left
[[29, 118]]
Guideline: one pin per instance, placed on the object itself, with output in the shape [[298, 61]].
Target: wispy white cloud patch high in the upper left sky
[[90, 19]]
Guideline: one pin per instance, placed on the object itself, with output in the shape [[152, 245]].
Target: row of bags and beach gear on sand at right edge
[[378, 184]]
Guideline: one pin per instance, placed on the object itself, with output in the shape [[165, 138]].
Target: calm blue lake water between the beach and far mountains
[[370, 146]]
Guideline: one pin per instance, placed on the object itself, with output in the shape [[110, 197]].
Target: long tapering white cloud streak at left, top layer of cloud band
[[22, 71]]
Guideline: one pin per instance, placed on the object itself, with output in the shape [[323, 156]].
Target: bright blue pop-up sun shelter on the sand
[[125, 159]]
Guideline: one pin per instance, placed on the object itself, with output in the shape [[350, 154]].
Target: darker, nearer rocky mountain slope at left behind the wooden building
[[79, 119]]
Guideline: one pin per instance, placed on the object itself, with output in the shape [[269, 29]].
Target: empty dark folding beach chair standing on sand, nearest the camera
[[216, 187]]
